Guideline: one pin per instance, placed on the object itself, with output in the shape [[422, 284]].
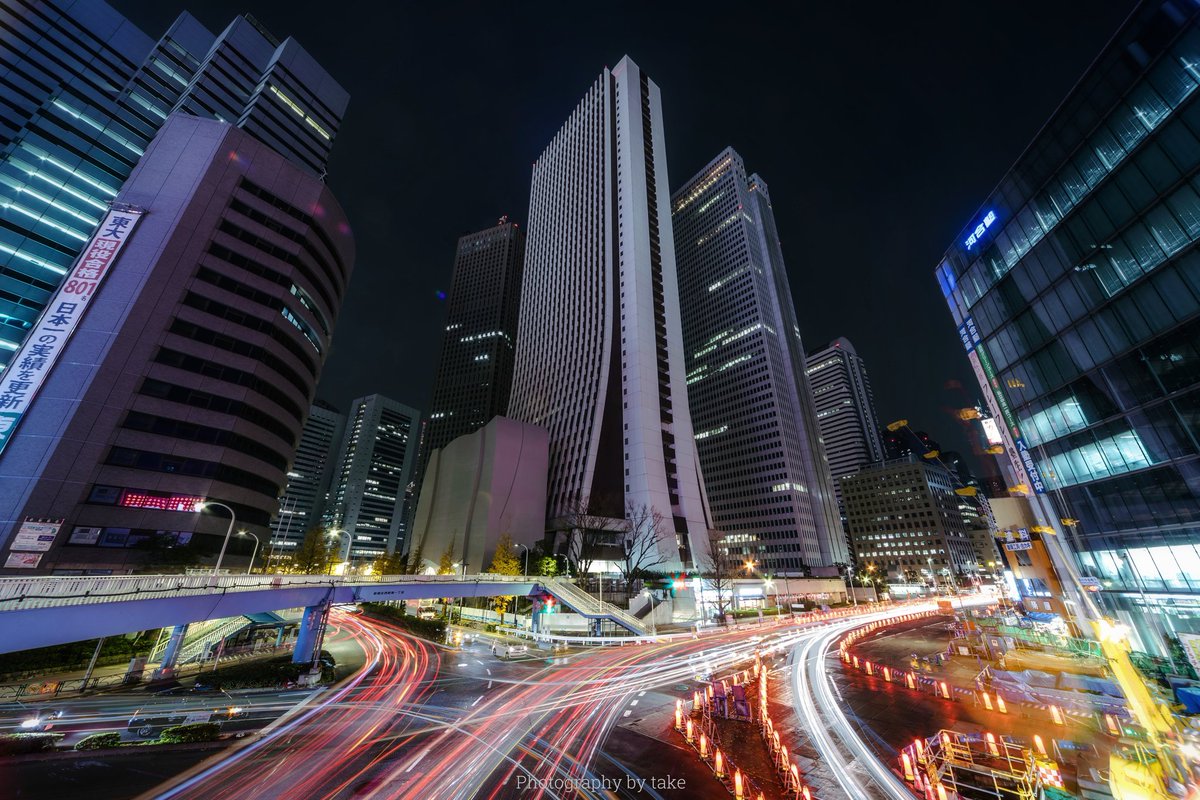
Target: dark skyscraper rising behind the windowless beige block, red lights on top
[[476, 369]]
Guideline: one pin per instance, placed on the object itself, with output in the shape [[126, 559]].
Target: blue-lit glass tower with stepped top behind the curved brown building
[[88, 93]]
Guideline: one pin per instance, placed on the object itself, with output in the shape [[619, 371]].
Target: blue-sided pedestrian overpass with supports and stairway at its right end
[[43, 611]]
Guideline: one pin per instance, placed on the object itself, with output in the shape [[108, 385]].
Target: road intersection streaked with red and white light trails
[[431, 723]]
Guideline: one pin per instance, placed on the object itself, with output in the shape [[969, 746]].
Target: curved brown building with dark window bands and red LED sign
[[193, 372]]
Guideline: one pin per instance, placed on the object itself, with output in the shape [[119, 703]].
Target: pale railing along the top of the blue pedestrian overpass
[[44, 592]]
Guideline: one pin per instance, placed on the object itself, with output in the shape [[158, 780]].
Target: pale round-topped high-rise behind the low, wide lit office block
[[845, 407]]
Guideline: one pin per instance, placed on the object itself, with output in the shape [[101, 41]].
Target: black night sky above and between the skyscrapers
[[880, 129]]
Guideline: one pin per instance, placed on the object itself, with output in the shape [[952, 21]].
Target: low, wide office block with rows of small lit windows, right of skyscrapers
[[904, 520]]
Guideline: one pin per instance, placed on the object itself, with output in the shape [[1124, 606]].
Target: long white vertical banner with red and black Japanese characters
[[33, 363]]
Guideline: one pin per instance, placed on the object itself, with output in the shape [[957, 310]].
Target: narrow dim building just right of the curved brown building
[[309, 480]]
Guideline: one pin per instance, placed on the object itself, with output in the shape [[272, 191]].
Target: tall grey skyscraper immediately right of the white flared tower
[[767, 479]]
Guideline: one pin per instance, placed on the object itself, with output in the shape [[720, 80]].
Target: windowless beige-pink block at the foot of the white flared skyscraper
[[479, 488]]
